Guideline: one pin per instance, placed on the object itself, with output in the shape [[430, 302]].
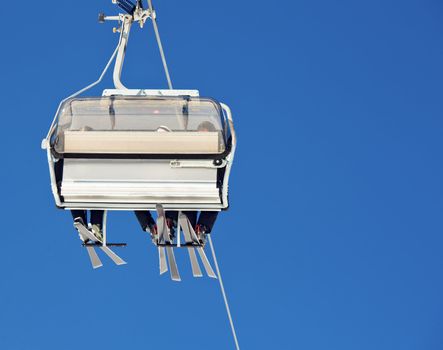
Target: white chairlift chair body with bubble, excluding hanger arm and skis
[[132, 152]]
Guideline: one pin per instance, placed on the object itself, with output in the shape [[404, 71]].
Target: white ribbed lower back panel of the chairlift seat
[[137, 181]]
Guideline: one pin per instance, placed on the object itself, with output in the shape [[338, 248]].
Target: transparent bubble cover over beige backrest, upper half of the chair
[[143, 125]]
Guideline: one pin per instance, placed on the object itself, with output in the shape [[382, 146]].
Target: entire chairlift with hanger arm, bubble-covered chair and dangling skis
[[137, 149]]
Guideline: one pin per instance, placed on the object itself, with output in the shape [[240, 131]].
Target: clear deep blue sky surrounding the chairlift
[[334, 238]]
